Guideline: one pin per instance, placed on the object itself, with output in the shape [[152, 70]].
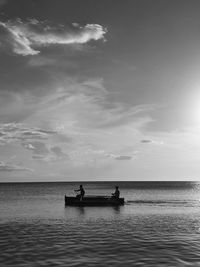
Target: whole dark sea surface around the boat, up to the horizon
[[159, 225]]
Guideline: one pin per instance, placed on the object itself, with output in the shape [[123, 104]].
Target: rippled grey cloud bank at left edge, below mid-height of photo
[[34, 139]]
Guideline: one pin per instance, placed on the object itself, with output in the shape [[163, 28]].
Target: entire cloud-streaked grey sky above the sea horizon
[[99, 90]]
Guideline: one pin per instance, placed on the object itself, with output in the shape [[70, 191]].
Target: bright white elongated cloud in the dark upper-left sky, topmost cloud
[[27, 37]]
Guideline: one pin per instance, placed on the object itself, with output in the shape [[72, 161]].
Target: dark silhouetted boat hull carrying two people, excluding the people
[[94, 201]]
